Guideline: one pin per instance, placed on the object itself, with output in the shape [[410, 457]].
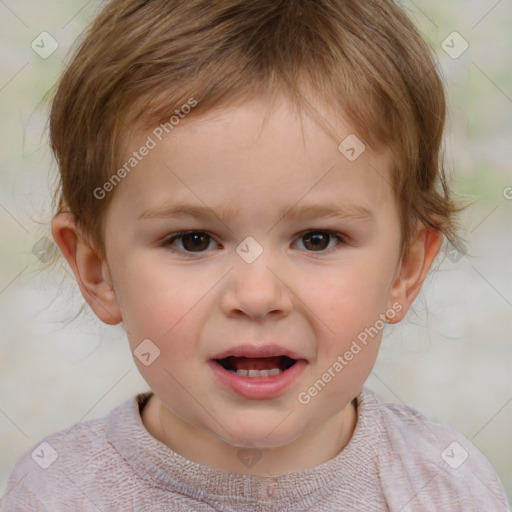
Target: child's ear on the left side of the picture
[[91, 272]]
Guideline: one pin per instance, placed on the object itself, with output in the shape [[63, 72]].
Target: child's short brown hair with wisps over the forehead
[[366, 59]]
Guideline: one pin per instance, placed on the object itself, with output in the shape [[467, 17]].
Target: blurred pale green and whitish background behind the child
[[452, 356]]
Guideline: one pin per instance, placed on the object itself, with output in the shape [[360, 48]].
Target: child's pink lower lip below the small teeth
[[258, 388]]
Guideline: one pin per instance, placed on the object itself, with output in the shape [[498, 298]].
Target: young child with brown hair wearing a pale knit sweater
[[299, 142]]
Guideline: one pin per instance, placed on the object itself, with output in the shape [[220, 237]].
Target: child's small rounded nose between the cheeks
[[256, 290]]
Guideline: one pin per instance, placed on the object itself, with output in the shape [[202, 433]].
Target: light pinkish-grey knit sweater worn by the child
[[396, 460]]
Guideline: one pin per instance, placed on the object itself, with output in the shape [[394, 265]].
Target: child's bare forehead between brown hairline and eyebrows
[[252, 158]]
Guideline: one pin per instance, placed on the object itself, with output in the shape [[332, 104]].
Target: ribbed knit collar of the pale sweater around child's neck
[[161, 466]]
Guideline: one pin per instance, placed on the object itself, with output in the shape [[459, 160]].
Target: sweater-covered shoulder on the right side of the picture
[[427, 466]]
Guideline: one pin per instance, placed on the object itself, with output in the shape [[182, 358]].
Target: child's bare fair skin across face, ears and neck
[[313, 300]]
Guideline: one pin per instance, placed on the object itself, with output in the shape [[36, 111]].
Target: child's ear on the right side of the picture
[[414, 268]]
